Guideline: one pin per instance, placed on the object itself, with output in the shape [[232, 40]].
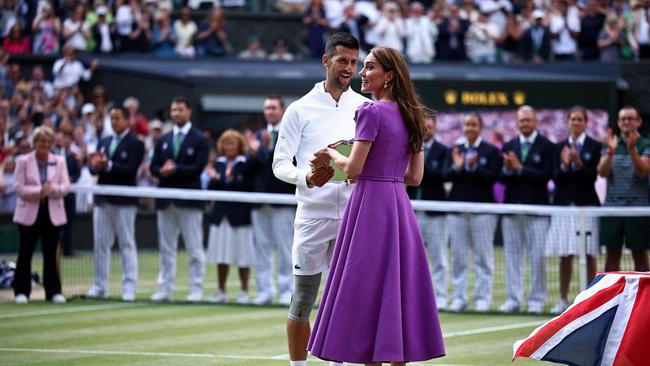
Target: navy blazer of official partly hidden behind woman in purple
[[435, 174]]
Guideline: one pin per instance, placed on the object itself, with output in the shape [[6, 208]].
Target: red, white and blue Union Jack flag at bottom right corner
[[607, 325]]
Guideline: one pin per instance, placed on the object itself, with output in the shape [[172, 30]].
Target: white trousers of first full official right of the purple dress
[[472, 233]]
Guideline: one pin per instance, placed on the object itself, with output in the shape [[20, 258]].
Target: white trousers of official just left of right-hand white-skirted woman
[[525, 234]]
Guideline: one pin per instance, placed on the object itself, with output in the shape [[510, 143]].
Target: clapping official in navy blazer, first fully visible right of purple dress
[[474, 169]]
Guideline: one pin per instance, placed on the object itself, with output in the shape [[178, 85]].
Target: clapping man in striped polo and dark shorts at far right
[[625, 164]]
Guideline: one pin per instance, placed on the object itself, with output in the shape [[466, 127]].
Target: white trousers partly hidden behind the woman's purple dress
[[436, 238]]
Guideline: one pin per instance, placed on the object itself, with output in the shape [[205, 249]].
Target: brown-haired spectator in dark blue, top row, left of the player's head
[[211, 39]]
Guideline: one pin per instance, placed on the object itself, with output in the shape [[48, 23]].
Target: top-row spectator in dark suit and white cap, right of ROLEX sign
[[535, 44]]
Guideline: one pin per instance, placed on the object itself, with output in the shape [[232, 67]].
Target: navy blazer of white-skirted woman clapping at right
[[575, 185]]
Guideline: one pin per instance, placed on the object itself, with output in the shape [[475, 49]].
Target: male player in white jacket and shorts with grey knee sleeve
[[323, 116]]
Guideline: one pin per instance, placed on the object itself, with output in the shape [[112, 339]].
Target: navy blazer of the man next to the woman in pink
[[125, 162]]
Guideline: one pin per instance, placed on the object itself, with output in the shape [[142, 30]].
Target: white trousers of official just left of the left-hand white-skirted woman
[[189, 223]]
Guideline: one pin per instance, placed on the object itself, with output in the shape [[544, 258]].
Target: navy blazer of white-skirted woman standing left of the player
[[238, 213]]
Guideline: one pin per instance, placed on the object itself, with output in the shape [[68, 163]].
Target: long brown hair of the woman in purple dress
[[401, 89]]
